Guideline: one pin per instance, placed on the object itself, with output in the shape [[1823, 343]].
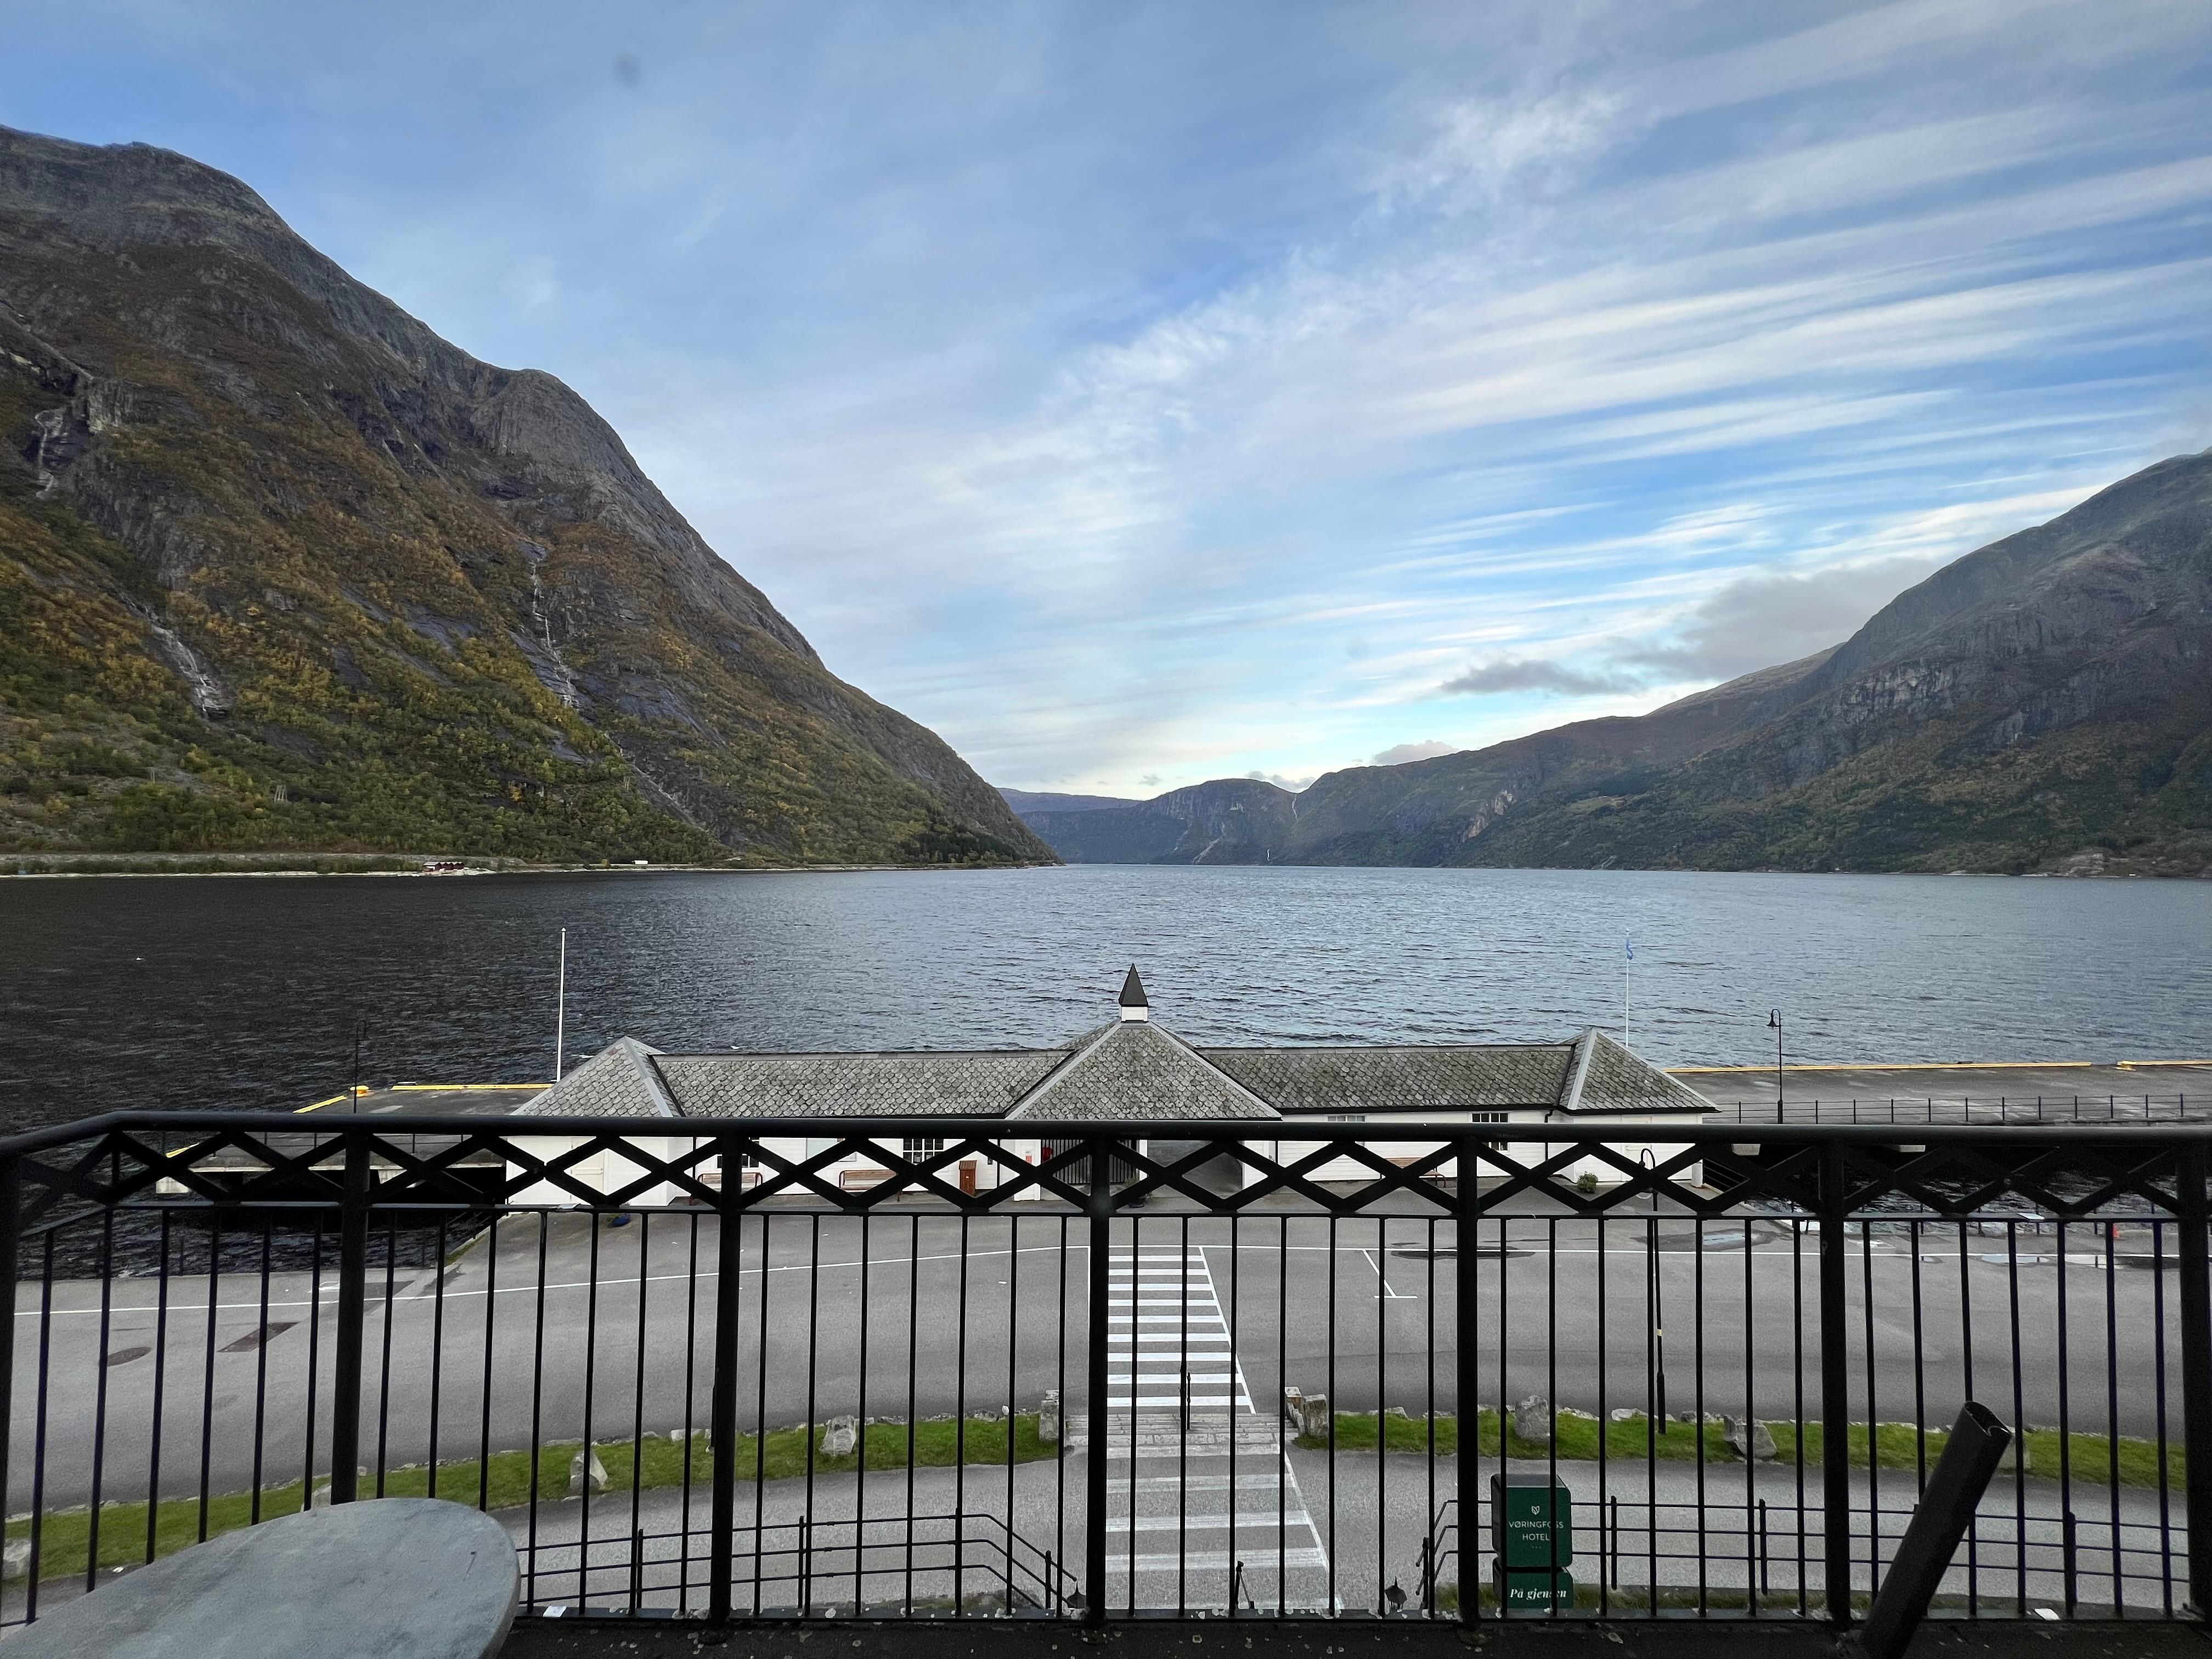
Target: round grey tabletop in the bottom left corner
[[399, 1578]]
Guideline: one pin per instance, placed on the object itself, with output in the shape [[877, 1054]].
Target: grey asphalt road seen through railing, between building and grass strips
[[567, 1326]]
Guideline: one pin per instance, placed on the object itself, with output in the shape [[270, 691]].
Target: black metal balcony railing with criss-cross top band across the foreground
[[826, 1370]]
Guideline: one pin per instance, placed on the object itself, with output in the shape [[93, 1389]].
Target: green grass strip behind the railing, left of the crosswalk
[[123, 1527]]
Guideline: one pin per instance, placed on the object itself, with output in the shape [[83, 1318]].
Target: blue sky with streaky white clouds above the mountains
[[1154, 393]]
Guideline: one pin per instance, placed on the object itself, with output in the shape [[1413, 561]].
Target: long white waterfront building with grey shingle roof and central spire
[[1129, 1070]]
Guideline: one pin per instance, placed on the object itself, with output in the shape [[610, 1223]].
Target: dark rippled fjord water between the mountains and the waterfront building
[[247, 992]]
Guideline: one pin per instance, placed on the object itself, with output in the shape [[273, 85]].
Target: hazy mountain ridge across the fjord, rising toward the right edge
[[2038, 705]]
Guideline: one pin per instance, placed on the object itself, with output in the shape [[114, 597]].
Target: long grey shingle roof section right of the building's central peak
[[1401, 1081]]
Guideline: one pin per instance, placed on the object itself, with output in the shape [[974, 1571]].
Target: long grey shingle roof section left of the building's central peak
[[859, 1085]]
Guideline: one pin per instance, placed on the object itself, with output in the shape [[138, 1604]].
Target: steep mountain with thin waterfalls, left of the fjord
[[284, 570]]
